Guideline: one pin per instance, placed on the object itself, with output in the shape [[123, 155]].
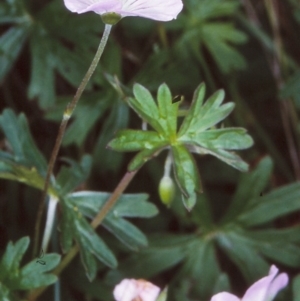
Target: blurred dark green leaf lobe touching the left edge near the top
[[11, 43]]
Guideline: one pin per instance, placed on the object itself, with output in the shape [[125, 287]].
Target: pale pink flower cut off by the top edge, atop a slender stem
[[160, 10]]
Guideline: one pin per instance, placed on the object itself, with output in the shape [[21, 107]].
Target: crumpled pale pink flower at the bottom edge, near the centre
[[136, 290]]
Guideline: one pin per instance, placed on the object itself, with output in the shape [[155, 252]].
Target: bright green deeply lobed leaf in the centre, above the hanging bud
[[194, 135]]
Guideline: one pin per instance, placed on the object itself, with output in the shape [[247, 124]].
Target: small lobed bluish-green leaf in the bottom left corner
[[32, 275]]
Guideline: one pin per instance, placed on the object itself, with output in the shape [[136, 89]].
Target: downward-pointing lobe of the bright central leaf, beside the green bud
[[186, 175]]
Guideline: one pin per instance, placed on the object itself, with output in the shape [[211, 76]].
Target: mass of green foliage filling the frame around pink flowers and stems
[[240, 223]]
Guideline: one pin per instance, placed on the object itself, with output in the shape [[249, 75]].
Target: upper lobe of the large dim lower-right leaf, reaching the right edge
[[278, 202]]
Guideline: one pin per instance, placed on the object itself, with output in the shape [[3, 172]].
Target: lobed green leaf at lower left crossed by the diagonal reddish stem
[[78, 205]]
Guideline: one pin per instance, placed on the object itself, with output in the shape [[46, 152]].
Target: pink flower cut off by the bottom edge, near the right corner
[[264, 289]]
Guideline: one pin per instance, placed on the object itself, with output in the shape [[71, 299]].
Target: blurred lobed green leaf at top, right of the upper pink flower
[[219, 38]]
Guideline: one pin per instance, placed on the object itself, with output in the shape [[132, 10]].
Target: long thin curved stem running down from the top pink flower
[[66, 116]]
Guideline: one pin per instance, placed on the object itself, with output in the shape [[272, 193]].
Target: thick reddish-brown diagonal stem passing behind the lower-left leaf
[[95, 223]]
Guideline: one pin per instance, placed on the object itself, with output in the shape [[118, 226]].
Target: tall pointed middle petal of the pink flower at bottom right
[[258, 291]]
